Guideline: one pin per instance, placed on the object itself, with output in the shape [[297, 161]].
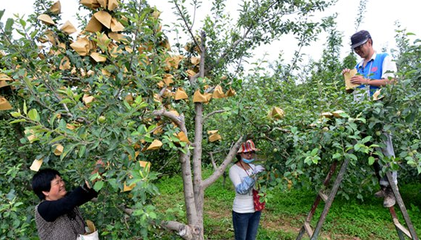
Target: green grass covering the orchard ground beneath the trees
[[286, 211]]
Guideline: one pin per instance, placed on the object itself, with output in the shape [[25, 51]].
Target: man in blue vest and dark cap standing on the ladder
[[374, 71]]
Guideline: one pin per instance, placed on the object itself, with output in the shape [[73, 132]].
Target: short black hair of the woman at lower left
[[41, 181]]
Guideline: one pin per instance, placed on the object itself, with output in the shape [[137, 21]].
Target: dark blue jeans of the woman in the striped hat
[[245, 225]]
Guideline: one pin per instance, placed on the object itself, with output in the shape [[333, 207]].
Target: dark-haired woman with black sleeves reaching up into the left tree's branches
[[57, 215]]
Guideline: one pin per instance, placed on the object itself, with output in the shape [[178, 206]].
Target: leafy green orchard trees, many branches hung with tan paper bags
[[150, 107]]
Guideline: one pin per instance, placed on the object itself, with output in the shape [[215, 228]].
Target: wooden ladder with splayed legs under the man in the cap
[[314, 233]]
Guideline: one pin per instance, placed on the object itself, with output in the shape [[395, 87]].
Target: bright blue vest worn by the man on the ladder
[[372, 70]]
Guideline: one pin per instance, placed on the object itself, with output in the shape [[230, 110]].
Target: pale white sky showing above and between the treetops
[[379, 20]]
